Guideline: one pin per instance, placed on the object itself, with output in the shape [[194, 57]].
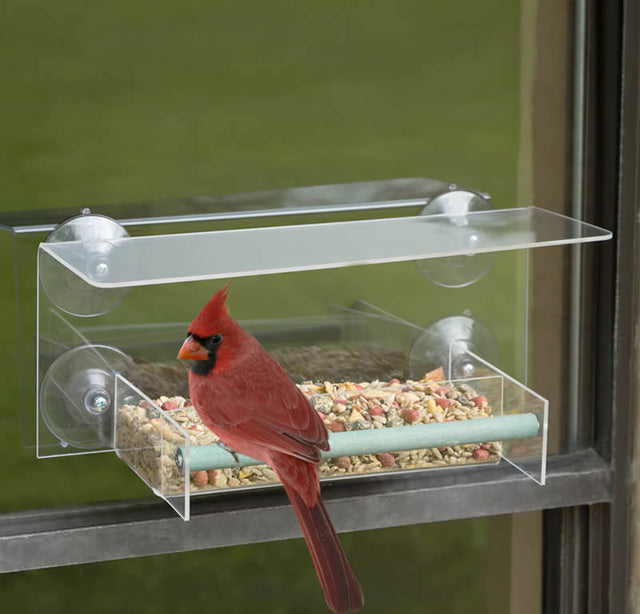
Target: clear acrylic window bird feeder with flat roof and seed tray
[[400, 308]]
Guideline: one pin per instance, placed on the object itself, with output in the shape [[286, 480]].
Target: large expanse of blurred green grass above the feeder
[[129, 101]]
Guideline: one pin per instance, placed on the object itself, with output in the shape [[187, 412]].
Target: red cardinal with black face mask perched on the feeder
[[246, 398]]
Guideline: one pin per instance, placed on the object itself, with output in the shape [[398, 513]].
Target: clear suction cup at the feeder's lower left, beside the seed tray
[[77, 395]]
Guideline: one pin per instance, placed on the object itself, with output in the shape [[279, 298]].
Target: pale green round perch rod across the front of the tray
[[374, 441]]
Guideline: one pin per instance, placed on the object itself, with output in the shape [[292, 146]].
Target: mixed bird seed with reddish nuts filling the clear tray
[[148, 442]]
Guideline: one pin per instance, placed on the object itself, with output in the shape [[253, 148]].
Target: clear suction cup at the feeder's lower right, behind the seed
[[457, 335]]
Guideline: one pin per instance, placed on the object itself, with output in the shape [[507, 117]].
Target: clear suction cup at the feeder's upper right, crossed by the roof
[[457, 271]]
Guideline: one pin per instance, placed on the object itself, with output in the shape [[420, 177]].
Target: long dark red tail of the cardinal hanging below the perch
[[341, 588]]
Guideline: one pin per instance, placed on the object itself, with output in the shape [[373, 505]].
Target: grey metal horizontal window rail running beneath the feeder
[[86, 534]]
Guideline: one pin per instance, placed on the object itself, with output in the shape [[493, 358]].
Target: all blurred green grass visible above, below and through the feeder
[[129, 101]]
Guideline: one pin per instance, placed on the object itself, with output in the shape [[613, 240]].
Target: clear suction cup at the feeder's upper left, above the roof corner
[[65, 289]]
